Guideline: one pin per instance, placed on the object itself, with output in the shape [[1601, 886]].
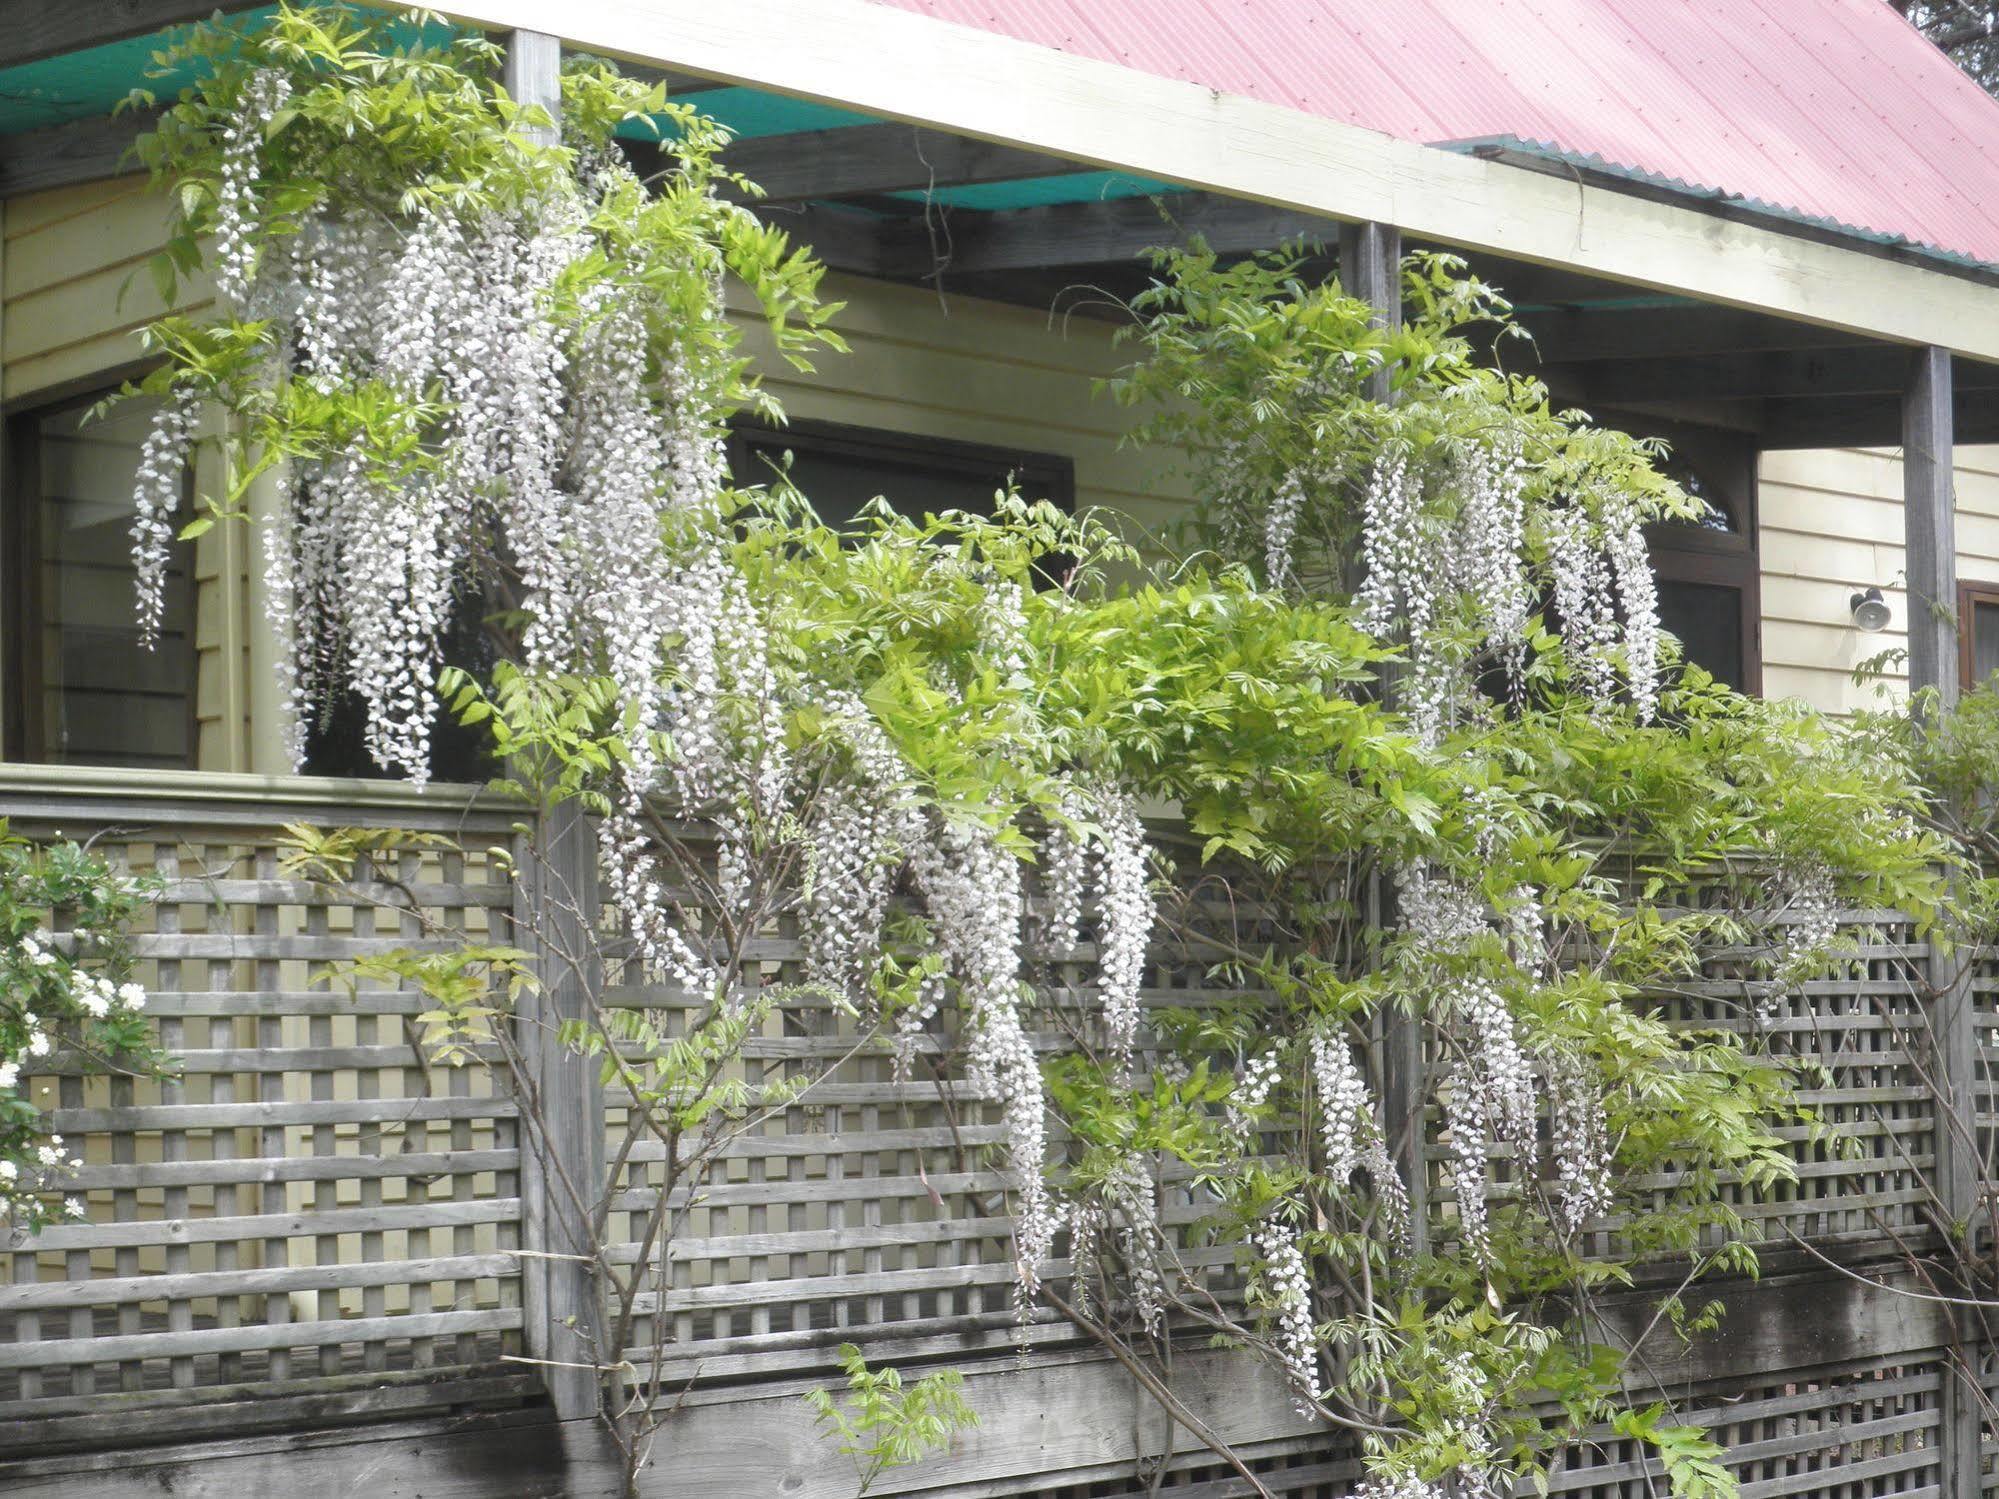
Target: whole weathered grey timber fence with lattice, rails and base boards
[[301, 1260]]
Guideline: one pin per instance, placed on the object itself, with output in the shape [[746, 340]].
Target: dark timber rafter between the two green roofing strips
[[859, 161]]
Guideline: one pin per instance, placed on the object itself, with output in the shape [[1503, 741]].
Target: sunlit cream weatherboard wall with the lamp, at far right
[[1832, 525]]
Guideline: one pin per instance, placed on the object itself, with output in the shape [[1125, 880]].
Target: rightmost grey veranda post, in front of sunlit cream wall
[[1928, 471]]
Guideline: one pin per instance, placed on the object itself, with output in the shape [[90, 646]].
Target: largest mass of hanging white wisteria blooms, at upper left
[[517, 373]]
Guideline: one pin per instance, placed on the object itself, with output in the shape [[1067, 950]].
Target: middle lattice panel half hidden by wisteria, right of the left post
[[875, 1210]]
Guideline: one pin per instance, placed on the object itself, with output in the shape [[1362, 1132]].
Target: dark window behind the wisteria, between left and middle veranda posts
[[841, 469]]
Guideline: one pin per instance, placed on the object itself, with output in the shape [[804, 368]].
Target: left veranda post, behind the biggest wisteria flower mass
[[563, 1160]]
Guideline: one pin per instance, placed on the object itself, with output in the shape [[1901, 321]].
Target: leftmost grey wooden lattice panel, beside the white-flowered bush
[[305, 1198]]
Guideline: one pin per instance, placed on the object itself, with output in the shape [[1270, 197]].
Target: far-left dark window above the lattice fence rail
[[81, 689]]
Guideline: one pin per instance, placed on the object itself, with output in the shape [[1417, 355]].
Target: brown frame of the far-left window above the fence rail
[[23, 681]]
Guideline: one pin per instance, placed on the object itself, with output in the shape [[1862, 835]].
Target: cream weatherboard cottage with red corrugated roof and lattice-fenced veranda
[[1766, 231]]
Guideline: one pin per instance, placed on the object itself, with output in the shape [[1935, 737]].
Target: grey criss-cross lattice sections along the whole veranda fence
[[309, 1204]]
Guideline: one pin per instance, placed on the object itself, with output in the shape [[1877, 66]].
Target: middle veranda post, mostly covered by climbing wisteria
[[1370, 269]]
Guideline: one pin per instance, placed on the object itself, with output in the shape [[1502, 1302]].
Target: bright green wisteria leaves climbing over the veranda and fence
[[1250, 711]]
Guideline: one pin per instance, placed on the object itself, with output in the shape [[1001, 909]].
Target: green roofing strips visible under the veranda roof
[[97, 81]]
